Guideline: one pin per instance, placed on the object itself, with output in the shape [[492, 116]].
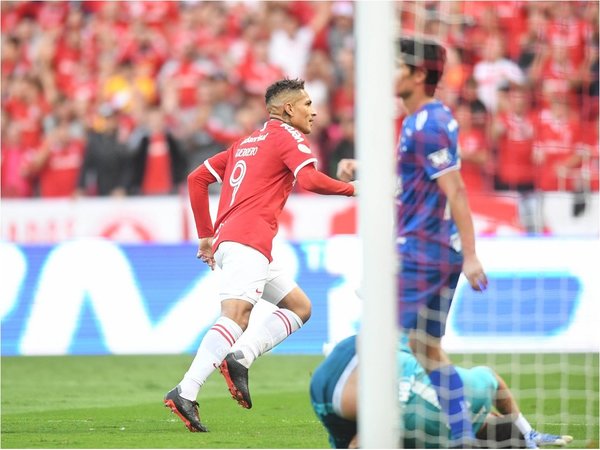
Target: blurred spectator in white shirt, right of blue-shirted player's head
[[495, 72]]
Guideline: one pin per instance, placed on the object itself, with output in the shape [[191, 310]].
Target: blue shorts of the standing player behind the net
[[425, 294]]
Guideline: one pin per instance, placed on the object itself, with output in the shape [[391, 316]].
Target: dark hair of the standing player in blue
[[424, 54]]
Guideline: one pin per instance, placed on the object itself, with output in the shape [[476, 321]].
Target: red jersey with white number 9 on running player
[[258, 174]]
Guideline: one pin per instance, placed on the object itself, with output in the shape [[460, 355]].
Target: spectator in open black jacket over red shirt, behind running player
[[158, 165]]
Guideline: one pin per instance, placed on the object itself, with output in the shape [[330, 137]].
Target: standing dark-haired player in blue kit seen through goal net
[[435, 235]]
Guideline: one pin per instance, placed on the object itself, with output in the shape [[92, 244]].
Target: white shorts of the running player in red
[[247, 275]]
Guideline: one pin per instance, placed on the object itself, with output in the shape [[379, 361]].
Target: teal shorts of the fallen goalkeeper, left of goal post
[[322, 384]]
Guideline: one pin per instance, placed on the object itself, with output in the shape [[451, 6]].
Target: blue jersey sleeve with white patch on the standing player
[[437, 147]]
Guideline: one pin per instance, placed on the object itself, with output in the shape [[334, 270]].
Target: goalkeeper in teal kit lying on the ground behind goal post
[[497, 421]]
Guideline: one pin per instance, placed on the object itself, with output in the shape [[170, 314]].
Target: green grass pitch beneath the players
[[116, 402]]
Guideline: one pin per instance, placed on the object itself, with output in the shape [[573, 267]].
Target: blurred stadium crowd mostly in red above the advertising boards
[[126, 98]]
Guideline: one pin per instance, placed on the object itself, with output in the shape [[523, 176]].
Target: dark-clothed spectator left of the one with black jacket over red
[[104, 168]]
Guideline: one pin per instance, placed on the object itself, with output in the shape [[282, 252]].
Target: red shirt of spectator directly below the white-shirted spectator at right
[[515, 150]]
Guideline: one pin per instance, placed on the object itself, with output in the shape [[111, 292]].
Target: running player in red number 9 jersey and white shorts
[[257, 174]]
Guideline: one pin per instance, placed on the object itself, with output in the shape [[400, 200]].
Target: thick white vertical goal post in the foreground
[[378, 409]]
